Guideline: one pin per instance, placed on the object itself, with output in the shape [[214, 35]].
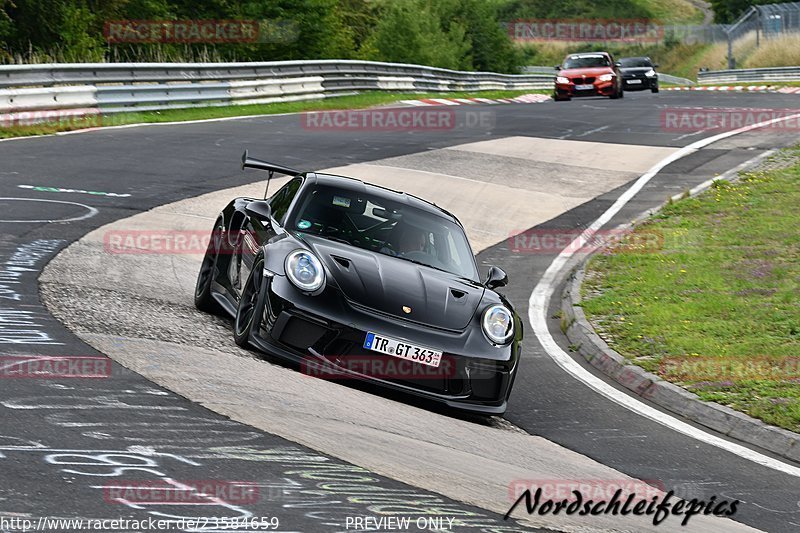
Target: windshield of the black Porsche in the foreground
[[374, 223]]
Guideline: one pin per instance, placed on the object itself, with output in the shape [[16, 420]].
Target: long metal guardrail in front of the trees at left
[[118, 87]]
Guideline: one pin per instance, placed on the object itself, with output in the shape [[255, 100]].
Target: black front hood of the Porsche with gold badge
[[388, 284]]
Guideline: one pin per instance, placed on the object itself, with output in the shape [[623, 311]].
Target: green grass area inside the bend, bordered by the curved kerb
[[717, 298]]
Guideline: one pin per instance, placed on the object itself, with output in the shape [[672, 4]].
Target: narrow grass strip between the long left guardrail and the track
[[358, 101]]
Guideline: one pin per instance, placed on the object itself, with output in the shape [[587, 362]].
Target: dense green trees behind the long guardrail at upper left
[[463, 34]]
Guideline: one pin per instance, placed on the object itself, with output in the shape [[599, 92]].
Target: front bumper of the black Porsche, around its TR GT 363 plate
[[326, 335]]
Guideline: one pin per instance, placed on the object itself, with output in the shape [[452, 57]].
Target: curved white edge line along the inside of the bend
[[540, 300]]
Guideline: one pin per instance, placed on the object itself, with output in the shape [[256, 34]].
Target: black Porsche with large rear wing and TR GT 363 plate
[[356, 280]]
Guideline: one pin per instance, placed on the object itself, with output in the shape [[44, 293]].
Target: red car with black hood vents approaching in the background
[[589, 74]]
